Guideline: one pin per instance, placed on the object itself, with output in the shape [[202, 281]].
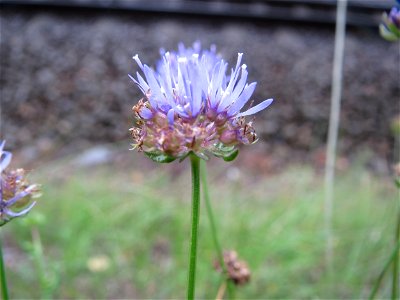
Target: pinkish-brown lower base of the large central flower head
[[205, 133]]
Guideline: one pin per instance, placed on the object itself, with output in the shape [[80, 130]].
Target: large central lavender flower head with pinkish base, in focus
[[191, 105]]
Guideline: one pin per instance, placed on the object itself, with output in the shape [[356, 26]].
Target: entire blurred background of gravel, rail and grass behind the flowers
[[66, 104]]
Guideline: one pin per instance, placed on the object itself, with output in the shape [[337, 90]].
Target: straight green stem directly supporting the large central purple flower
[[195, 163]]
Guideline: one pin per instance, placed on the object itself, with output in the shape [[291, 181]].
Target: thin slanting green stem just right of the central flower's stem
[[213, 226]]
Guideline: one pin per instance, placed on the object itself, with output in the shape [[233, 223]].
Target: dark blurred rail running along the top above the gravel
[[360, 12]]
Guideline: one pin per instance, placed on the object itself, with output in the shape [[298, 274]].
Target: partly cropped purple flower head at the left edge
[[15, 191]]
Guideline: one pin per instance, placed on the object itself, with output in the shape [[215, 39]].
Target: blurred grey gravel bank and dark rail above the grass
[[65, 66]]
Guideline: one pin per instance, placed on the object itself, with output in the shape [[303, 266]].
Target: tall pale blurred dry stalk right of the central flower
[[337, 75]]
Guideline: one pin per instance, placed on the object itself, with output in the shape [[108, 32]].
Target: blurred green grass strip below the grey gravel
[[139, 219]]
